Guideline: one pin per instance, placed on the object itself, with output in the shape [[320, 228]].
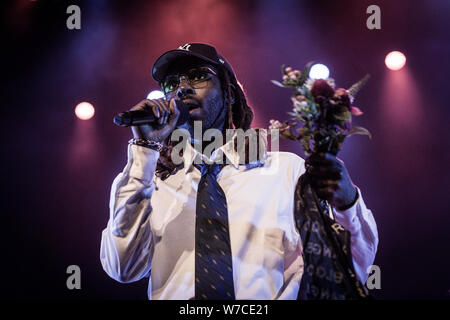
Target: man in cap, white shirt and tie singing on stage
[[217, 225]]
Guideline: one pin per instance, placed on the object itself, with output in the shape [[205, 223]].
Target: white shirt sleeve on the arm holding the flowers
[[359, 221]]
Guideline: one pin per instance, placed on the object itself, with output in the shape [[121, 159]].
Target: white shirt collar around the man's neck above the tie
[[190, 153]]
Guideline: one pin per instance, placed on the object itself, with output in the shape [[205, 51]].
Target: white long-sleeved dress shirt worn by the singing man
[[151, 230]]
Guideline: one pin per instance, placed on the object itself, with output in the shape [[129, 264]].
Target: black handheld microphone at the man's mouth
[[138, 117]]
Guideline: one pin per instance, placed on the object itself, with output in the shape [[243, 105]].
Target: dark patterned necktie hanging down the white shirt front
[[213, 264]]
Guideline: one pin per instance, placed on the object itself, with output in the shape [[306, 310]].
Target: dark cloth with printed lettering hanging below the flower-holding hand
[[329, 273]]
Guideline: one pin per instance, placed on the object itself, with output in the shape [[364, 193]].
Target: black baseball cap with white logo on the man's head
[[202, 51]]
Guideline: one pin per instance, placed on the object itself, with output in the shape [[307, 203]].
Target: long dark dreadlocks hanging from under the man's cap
[[239, 115]]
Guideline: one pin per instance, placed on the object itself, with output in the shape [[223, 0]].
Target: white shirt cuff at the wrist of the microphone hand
[[142, 162]]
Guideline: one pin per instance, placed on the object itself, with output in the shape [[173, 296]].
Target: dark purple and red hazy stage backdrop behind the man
[[57, 170]]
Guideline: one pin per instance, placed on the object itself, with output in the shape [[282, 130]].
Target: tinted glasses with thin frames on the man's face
[[196, 77]]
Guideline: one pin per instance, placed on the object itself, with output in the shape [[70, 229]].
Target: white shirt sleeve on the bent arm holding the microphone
[[126, 245]]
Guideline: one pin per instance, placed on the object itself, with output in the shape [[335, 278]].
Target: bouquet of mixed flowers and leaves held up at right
[[322, 115]]
